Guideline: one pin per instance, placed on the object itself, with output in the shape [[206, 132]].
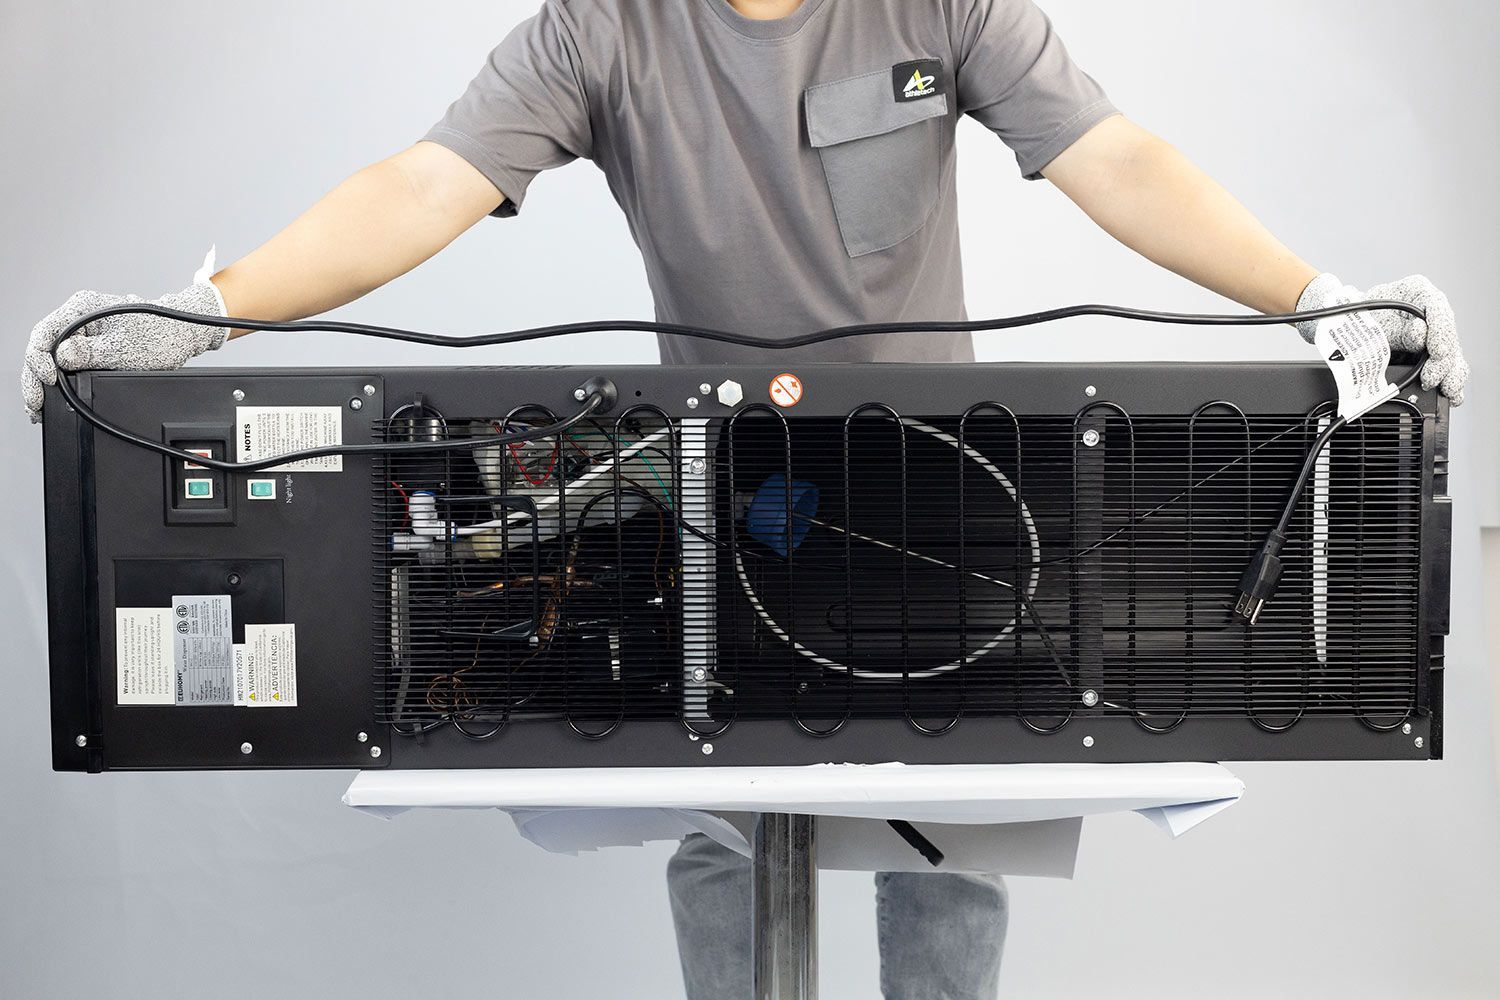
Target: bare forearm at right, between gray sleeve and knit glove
[[1150, 197]]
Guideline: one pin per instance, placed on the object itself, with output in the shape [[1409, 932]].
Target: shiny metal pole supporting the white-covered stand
[[785, 902]]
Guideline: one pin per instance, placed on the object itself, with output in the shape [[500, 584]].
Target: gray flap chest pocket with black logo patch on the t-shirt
[[883, 154]]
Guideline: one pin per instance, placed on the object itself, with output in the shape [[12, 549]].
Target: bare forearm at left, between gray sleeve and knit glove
[[374, 227]]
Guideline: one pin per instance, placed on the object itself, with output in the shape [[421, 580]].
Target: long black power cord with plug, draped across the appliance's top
[[1258, 585]]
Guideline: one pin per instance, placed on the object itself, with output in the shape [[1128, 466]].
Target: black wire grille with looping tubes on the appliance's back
[[878, 566]]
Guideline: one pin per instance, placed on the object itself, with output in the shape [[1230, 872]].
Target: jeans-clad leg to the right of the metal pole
[[941, 935]]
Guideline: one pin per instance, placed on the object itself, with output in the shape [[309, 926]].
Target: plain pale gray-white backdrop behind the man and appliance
[[137, 134]]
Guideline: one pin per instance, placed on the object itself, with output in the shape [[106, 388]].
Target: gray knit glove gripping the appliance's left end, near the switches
[[133, 341]]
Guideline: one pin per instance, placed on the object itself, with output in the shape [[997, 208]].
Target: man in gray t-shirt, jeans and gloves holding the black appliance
[[785, 166]]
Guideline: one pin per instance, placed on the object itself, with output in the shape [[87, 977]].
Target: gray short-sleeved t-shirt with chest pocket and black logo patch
[[779, 176]]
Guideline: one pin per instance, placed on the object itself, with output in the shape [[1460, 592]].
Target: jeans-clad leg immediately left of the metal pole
[[710, 891]]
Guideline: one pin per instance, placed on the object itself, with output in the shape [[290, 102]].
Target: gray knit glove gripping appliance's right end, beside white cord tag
[[1445, 359]]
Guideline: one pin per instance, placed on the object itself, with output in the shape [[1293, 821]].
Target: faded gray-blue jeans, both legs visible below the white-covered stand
[[941, 935]]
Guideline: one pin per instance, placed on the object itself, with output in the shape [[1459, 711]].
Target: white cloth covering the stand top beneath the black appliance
[[1013, 819]]
